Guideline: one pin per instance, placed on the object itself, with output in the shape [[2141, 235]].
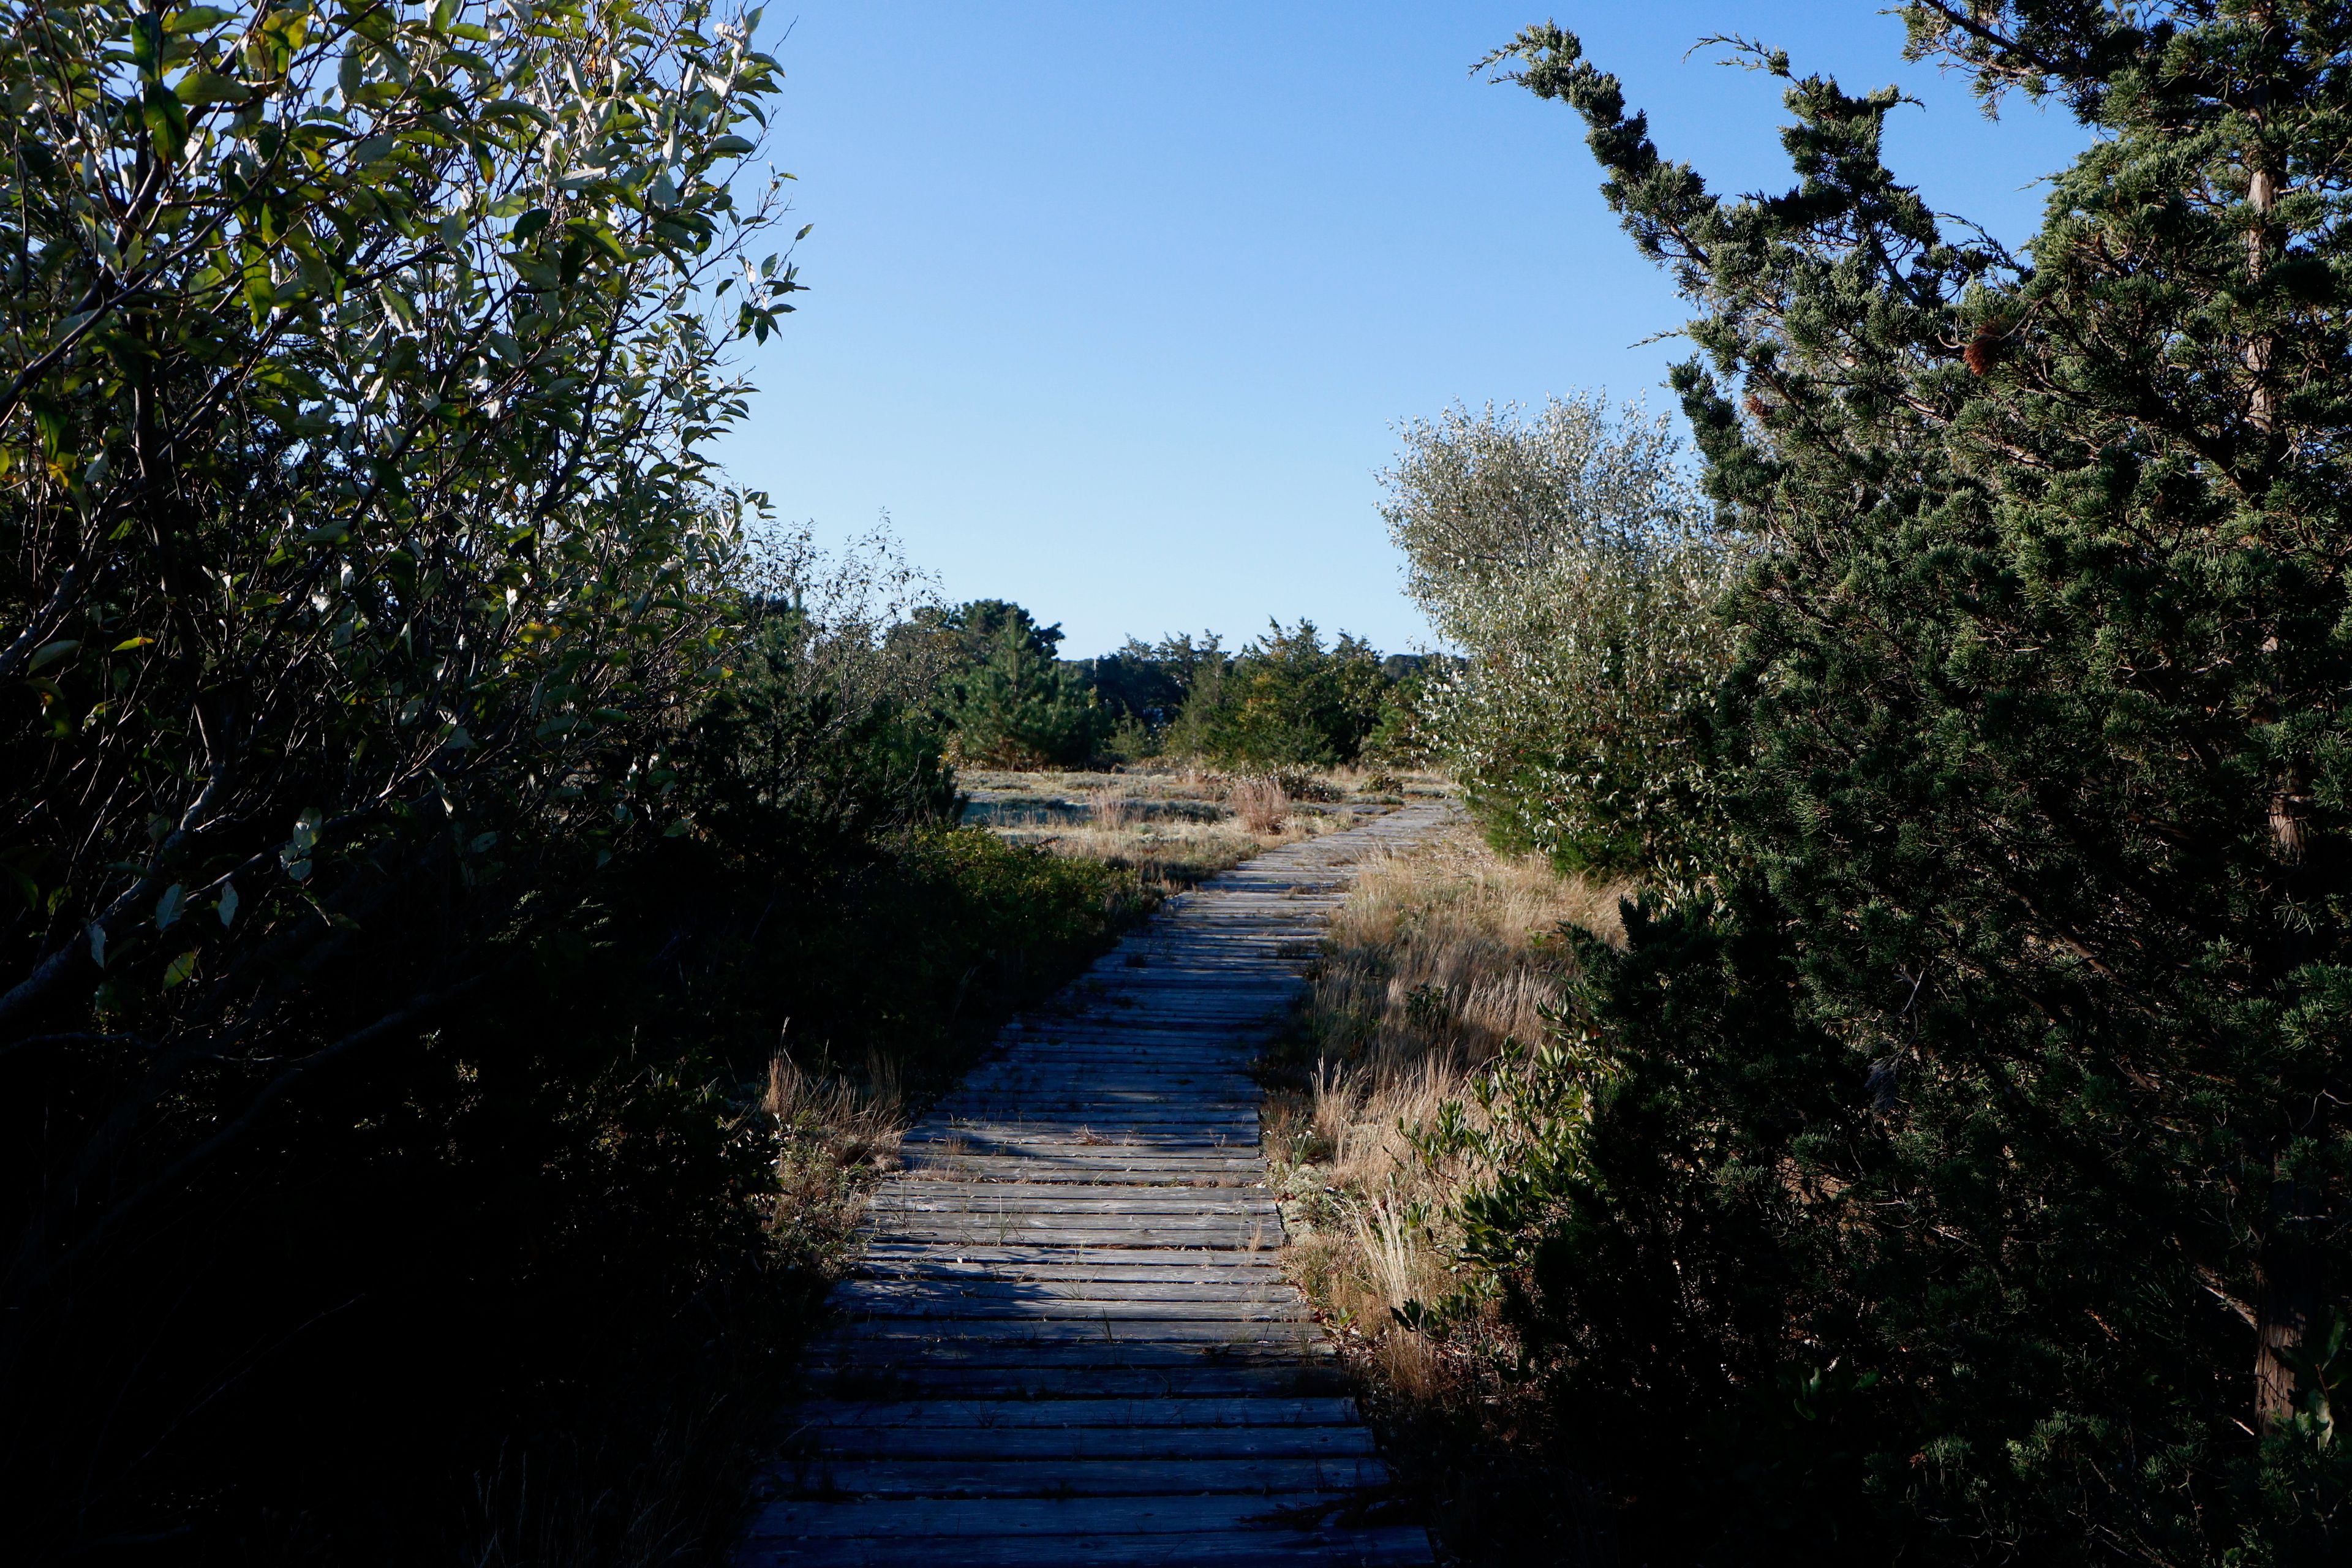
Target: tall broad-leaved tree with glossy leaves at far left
[[359, 554]]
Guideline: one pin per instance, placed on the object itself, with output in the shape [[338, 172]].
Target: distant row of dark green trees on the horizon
[[1285, 699]]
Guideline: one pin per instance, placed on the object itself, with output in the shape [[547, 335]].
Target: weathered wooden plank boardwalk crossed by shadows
[[1071, 1341]]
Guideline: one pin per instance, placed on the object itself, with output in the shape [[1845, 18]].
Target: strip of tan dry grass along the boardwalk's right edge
[[1441, 958]]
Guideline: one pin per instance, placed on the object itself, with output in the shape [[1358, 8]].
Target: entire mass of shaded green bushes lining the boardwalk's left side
[[422, 812]]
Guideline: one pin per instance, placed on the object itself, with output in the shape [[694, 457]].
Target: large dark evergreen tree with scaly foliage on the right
[[1970, 1177]]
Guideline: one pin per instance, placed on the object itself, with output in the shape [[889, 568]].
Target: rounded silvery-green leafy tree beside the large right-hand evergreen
[[1572, 561]]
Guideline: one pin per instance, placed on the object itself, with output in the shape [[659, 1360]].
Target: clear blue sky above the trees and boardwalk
[[1116, 304]]
